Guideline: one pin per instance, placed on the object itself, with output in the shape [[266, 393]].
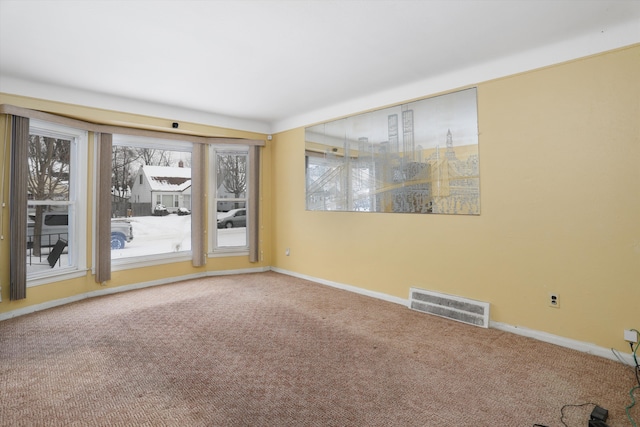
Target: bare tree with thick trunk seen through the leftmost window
[[48, 178]]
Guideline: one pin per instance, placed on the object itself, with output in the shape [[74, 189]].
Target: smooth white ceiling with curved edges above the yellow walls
[[271, 65]]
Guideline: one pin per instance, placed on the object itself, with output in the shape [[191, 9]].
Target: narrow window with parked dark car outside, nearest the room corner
[[229, 199]]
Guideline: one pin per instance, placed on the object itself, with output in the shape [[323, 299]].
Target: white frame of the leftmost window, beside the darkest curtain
[[77, 206]]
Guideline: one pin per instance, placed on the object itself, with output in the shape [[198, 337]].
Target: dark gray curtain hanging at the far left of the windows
[[18, 210]]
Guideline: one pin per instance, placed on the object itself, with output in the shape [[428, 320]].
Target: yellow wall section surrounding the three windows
[[75, 287]]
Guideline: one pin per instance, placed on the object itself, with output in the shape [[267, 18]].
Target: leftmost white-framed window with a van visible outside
[[56, 209]]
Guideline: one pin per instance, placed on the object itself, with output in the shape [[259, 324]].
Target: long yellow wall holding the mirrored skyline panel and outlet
[[560, 210]]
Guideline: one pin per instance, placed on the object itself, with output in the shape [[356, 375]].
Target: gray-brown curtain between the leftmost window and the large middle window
[[103, 203]]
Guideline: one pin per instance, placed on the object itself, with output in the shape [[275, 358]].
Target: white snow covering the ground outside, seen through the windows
[[152, 235]]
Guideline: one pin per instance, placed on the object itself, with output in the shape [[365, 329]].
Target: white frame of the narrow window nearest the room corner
[[214, 249]]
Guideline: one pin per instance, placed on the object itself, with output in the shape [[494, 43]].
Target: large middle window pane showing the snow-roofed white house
[[151, 203]]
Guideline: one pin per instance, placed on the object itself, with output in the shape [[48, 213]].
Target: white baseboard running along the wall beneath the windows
[[124, 288]]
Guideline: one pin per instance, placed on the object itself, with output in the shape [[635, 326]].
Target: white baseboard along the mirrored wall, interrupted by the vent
[[531, 333]]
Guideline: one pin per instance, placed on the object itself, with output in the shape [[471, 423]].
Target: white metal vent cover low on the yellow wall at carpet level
[[452, 307]]
